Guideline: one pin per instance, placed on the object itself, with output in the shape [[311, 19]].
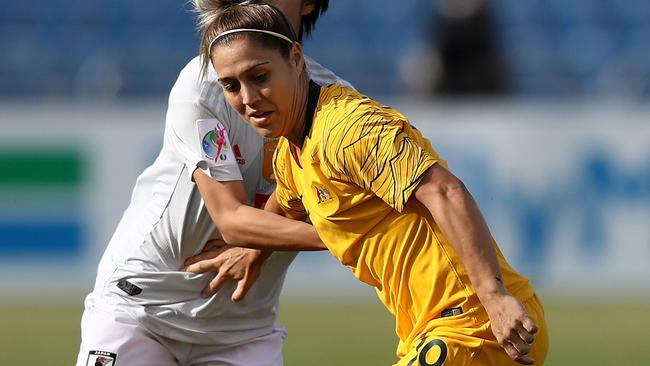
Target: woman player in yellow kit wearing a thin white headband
[[381, 199]]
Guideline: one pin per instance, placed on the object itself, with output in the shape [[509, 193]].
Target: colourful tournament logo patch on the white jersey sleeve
[[215, 144]]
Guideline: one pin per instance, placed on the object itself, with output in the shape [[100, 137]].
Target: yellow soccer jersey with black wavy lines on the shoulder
[[361, 162]]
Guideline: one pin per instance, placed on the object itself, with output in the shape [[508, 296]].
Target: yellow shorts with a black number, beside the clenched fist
[[460, 346]]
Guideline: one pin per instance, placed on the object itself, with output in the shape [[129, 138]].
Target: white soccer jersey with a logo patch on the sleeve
[[167, 222]]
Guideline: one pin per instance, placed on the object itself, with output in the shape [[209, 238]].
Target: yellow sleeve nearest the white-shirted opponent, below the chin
[[285, 190]]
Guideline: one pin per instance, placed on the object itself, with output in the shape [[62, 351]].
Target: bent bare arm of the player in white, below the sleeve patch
[[246, 226]]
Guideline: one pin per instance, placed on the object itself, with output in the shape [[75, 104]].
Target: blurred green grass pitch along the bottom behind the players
[[582, 333]]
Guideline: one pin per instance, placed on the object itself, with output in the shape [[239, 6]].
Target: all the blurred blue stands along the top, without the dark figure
[[126, 48]]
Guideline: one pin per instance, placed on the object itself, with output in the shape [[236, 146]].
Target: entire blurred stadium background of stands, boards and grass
[[541, 106]]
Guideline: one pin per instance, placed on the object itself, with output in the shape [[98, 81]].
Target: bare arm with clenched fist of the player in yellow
[[458, 216]]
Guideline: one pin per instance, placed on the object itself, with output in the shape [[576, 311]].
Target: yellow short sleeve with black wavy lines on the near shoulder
[[385, 156]]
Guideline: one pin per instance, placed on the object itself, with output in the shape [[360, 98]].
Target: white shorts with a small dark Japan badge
[[114, 338]]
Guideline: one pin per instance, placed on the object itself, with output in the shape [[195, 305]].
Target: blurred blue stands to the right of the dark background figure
[[576, 47]]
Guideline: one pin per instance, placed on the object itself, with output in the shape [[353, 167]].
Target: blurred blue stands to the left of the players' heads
[[98, 48]]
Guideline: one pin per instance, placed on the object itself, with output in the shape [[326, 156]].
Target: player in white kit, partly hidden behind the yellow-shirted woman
[[144, 309]]
